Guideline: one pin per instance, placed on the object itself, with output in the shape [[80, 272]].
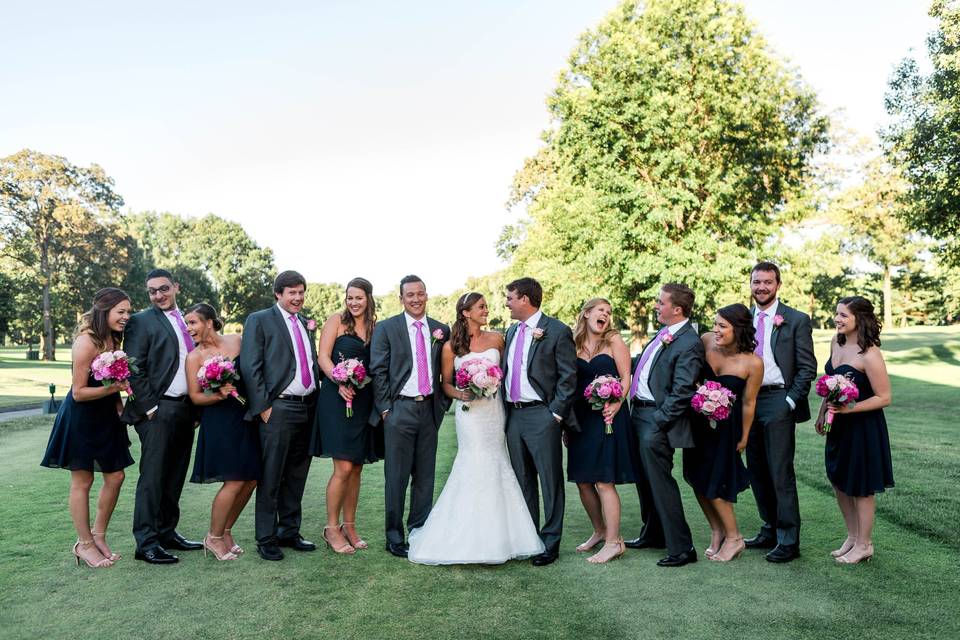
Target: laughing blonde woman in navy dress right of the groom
[[598, 461]]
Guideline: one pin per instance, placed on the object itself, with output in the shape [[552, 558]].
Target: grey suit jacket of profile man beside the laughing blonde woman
[[673, 379]]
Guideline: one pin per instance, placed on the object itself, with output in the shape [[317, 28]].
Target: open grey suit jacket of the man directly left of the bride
[[391, 362]]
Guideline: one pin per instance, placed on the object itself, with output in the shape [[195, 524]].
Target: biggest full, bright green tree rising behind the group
[[677, 139]]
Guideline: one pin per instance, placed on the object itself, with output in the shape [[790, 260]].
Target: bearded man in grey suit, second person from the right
[[785, 342]]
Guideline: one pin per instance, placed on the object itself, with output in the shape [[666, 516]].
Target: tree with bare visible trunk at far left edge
[[59, 222]]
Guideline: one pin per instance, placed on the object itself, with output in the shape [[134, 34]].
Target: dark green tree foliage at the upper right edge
[[924, 138]]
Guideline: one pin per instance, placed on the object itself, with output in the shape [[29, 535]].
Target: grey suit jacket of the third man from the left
[[267, 361]]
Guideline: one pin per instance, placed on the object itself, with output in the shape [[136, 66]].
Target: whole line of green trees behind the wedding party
[[680, 148]]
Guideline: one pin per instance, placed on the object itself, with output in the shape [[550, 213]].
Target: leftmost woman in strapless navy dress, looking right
[[87, 434]]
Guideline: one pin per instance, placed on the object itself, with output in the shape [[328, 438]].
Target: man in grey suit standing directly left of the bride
[[405, 365]]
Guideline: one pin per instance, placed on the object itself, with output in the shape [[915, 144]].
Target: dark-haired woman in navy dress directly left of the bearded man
[[713, 467]]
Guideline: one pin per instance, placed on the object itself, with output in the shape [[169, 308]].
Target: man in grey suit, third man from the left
[[278, 363]]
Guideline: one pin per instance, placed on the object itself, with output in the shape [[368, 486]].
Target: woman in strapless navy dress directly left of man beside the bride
[[349, 441]]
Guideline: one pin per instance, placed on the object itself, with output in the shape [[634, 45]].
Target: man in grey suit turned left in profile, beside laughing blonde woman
[[664, 380]]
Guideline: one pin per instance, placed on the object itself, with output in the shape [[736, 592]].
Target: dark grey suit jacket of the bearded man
[[792, 345]]
